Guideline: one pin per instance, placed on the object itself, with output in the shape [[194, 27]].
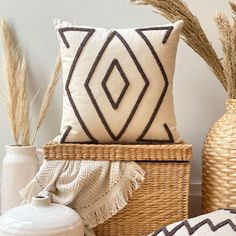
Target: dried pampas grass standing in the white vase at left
[[16, 99]]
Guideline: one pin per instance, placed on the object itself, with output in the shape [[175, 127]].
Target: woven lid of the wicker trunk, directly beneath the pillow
[[175, 152]]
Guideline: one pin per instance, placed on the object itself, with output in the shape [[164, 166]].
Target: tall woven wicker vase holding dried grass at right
[[219, 162]]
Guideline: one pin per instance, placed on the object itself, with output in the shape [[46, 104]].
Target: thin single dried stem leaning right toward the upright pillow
[[48, 95]]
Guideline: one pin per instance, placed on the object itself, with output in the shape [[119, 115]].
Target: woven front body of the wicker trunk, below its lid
[[161, 200]]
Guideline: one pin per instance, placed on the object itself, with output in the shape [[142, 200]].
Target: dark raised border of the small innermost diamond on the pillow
[[115, 63]]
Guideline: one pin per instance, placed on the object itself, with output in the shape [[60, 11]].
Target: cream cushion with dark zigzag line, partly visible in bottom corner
[[218, 223]]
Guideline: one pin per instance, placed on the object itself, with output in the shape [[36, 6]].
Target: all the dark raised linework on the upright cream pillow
[[115, 104]]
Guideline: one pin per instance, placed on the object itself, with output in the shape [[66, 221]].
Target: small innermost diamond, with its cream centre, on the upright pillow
[[115, 77]]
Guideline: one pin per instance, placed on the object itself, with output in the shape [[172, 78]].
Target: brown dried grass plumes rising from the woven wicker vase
[[195, 37]]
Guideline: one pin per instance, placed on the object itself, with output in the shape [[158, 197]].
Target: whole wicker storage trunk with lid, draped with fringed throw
[[162, 198]]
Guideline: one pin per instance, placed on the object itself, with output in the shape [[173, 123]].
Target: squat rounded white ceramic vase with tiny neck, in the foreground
[[41, 218]]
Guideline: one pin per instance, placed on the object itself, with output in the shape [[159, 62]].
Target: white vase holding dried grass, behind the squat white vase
[[20, 165]]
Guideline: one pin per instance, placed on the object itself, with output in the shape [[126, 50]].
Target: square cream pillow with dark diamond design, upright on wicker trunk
[[118, 84]]
